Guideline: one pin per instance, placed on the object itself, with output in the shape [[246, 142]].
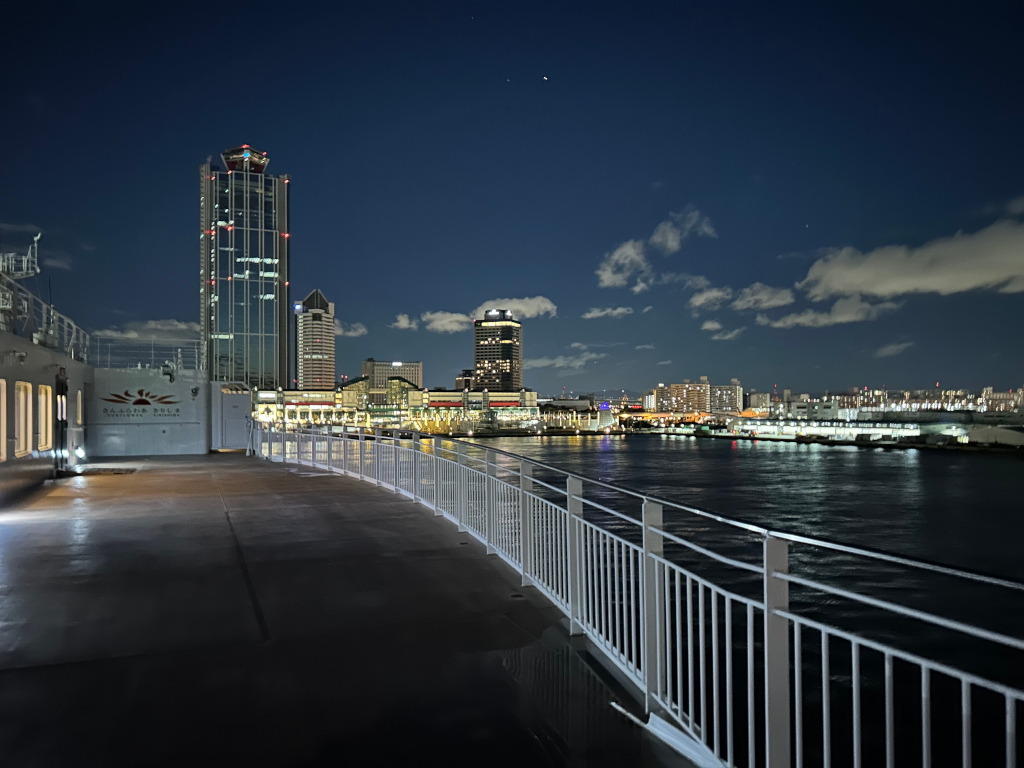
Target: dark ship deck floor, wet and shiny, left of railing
[[224, 610]]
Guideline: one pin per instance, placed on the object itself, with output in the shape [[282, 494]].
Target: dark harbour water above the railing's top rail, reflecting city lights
[[961, 509]]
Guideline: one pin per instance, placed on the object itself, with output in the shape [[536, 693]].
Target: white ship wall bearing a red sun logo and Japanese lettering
[[141, 412]]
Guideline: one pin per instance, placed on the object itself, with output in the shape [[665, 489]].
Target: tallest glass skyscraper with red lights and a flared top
[[244, 240]]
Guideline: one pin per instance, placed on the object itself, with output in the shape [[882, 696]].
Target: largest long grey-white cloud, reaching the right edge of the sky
[[991, 259]]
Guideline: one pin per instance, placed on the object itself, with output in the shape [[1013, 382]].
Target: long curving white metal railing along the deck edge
[[696, 611]]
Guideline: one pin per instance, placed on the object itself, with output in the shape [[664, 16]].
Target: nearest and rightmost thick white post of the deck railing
[[777, 561]]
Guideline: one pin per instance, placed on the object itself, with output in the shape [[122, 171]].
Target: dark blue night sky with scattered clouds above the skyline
[[813, 156]]
